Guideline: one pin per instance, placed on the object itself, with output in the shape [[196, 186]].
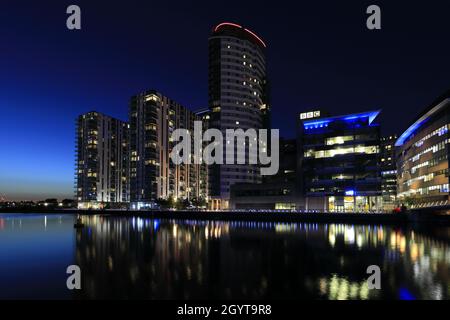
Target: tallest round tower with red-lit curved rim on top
[[238, 98]]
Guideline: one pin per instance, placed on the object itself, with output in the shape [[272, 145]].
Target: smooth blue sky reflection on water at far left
[[35, 251]]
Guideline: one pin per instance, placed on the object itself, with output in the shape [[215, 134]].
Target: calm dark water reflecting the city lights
[[126, 257]]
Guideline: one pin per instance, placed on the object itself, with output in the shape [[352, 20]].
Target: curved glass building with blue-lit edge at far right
[[423, 158]]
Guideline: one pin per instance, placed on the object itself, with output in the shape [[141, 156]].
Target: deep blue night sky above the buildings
[[320, 56]]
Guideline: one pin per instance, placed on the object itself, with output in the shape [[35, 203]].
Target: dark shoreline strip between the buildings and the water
[[427, 216]]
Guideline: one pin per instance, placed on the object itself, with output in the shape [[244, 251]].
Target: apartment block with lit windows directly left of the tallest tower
[[153, 119]]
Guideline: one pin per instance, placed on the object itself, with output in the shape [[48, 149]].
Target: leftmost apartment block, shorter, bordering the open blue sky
[[102, 170]]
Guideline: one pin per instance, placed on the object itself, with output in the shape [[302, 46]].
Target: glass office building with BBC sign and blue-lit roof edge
[[339, 163]]
